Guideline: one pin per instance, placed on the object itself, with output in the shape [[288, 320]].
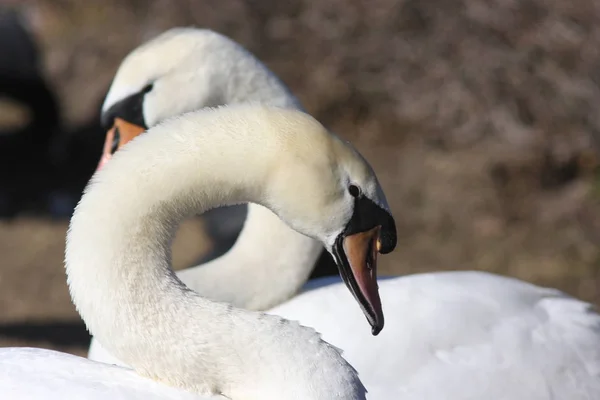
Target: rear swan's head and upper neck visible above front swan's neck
[[182, 70]]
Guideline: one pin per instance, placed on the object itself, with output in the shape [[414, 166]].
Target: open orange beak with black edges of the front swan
[[360, 250]]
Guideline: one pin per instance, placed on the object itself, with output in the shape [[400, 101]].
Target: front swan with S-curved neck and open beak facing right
[[117, 260]]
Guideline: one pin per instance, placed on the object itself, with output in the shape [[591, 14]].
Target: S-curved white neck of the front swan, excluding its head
[[121, 281]]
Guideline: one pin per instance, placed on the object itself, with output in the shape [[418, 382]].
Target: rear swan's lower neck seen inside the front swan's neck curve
[[244, 276]]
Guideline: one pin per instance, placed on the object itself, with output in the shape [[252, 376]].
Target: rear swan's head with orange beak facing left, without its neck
[[136, 98]]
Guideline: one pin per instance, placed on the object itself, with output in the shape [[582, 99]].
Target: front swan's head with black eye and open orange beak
[[332, 194]]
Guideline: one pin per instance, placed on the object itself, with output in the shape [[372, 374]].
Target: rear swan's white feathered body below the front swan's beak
[[466, 335]]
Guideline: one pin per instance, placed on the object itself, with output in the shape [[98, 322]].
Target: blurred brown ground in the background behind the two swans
[[479, 117]]
